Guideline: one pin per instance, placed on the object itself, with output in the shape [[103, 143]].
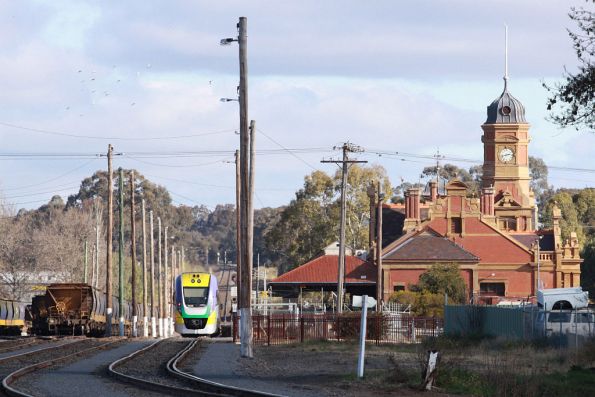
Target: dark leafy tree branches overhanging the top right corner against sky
[[572, 102]]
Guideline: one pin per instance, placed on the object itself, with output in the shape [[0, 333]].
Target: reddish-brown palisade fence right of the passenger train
[[275, 329]]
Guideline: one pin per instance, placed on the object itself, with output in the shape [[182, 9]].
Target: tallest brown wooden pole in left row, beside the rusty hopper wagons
[[108, 260]]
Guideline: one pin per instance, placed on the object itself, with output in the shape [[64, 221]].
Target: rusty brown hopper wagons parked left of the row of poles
[[77, 309]]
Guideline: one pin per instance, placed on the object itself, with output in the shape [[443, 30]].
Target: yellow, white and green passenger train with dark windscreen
[[197, 309]]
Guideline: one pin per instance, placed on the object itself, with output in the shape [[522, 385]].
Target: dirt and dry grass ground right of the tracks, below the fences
[[491, 367]]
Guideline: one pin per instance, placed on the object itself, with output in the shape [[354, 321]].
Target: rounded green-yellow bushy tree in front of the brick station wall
[[444, 278]]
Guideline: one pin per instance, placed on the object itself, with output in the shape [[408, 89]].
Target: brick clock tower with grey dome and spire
[[506, 163]]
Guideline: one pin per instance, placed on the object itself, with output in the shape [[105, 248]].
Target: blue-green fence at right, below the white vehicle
[[560, 327]]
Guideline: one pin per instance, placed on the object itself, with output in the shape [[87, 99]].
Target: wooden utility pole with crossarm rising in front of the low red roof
[[346, 148]]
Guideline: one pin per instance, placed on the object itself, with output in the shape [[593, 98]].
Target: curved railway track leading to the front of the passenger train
[[179, 382]]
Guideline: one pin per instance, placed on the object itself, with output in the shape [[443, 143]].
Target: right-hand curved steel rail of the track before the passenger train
[[205, 384]]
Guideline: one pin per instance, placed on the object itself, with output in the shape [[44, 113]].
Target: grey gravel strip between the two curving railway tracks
[[86, 376]]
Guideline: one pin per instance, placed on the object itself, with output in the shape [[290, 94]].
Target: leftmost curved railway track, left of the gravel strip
[[18, 365]]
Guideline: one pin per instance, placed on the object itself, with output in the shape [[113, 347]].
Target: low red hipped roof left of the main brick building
[[324, 270]]
